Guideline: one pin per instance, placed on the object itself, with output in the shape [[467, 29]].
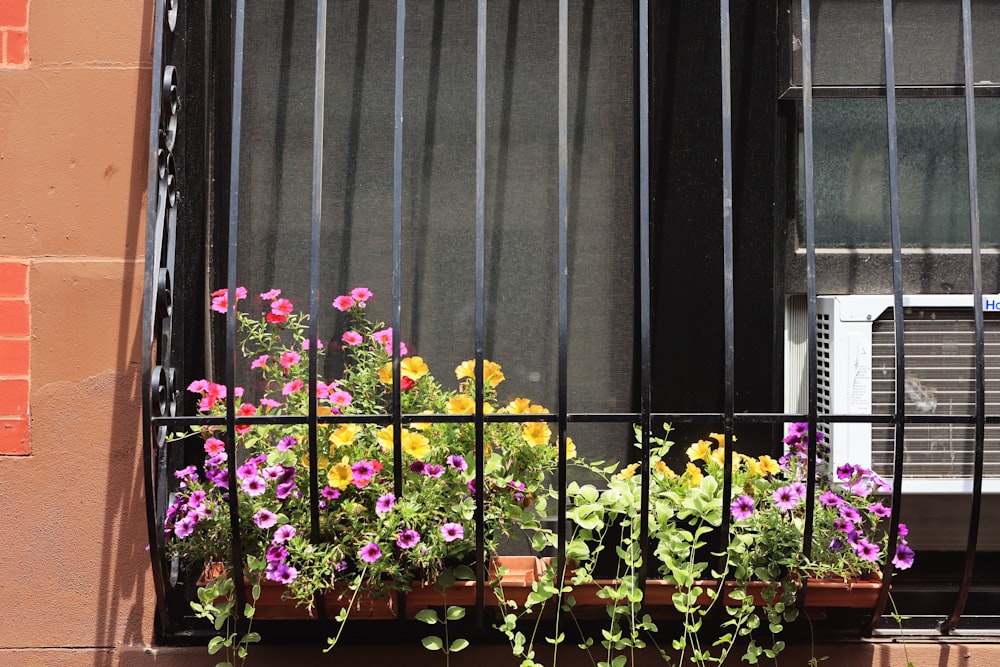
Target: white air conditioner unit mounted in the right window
[[856, 375]]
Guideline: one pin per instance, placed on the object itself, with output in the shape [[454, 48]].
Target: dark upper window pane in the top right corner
[[848, 42]]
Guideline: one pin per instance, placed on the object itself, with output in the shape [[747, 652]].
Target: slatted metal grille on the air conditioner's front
[[940, 380]]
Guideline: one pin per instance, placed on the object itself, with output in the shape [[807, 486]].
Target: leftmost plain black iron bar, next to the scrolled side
[[230, 369]]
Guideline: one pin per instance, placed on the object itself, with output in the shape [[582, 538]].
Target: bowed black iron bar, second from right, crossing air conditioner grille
[[899, 415]]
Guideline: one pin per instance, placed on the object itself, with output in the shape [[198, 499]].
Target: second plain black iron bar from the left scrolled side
[[319, 107]]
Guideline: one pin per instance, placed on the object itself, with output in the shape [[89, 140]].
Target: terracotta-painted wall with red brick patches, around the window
[[74, 574]]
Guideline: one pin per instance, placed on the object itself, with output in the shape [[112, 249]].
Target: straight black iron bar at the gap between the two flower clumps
[[563, 225]]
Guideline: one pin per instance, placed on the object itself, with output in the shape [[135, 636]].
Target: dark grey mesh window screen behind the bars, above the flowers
[[438, 211]]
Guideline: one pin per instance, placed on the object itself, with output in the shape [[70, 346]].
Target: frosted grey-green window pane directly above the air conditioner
[[852, 178]]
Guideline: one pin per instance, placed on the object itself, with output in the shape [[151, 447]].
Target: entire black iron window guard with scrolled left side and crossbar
[[160, 384]]
